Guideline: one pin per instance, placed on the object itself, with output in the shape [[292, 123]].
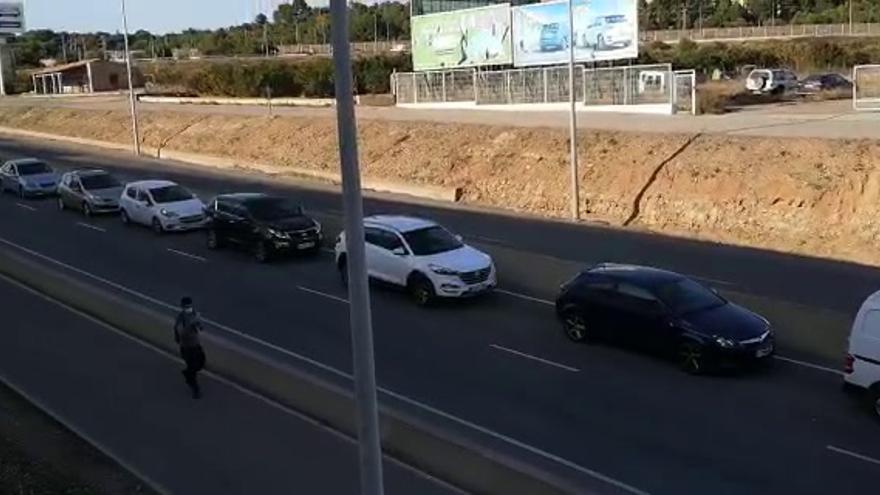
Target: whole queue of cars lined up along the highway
[[650, 309]]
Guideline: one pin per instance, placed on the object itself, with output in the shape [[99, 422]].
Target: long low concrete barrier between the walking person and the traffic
[[443, 453]]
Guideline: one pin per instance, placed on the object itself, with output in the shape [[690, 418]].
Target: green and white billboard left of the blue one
[[462, 38]]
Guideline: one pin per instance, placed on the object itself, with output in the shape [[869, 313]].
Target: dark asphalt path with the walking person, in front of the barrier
[[129, 398]]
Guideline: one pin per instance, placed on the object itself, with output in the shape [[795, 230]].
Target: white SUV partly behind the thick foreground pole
[[422, 257]]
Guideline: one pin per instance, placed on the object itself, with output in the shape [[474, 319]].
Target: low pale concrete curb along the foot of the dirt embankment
[[439, 193]]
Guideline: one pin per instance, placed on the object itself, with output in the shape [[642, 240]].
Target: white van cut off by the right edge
[[863, 360]]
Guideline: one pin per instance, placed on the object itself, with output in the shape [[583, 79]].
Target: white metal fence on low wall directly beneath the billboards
[[630, 85]]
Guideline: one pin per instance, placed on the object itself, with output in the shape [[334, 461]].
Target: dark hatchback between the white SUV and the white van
[[662, 311]]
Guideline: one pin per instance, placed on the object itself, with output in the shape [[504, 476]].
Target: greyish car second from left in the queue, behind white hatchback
[[90, 191]]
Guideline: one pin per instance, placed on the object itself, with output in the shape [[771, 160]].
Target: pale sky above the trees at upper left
[[159, 16]]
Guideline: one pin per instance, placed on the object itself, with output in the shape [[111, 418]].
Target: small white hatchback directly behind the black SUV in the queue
[[163, 205]]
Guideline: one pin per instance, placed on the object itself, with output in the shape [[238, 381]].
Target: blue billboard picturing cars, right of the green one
[[603, 30]]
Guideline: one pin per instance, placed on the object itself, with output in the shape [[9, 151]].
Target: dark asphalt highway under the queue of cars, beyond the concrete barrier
[[499, 366]]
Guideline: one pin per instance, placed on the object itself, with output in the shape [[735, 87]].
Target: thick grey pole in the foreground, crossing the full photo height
[[358, 290]]
